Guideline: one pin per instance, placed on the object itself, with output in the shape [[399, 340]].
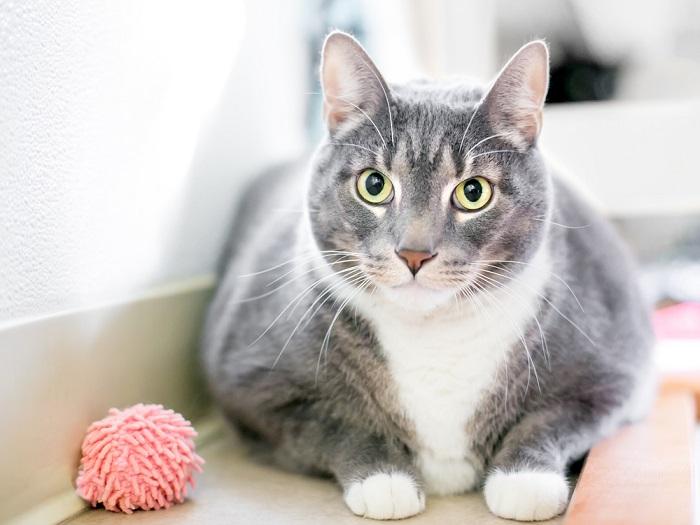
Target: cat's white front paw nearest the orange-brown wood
[[526, 495]]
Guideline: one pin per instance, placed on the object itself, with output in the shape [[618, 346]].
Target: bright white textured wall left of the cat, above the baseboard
[[125, 128]]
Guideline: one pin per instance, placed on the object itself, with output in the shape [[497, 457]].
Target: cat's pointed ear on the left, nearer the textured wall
[[351, 82]]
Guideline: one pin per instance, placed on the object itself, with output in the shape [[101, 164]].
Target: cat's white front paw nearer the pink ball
[[385, 497]]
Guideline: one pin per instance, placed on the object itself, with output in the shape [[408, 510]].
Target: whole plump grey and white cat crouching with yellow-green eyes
[[431, 322]]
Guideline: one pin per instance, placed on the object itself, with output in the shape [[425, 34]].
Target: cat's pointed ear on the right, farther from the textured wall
[[514, 103]]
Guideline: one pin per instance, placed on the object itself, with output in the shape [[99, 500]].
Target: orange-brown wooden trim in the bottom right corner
[[644, 473]]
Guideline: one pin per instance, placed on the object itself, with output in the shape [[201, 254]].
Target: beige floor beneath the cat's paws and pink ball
[[235, 490]]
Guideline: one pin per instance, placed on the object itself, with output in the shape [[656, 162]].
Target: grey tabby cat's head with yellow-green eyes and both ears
[[418, 189]]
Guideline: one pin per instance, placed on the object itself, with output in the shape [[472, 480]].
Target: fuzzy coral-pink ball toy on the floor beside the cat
[[141, 457]]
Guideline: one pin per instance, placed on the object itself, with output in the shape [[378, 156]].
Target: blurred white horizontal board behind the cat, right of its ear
[[629, 158]]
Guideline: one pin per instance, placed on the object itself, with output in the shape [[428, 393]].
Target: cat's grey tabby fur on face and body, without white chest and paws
[[334, 411]]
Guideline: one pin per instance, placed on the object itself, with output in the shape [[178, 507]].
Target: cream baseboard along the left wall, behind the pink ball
[[60, 373]]
